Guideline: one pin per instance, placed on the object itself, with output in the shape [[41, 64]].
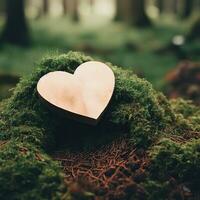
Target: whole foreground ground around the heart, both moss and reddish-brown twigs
[[158, 157]]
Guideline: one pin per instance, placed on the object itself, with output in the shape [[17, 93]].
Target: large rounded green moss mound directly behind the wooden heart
[[134, 102]]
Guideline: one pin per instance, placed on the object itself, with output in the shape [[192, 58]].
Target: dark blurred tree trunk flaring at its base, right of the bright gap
[[139, 17]]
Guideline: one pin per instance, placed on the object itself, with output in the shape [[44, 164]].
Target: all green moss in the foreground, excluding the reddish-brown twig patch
[[136, 111]]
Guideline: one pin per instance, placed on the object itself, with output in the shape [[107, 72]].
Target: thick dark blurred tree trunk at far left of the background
[[15, 30]]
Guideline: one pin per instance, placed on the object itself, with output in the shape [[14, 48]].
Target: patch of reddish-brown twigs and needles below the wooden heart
[[112, 172]]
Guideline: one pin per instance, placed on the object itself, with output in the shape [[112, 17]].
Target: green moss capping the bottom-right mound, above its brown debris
[[170, 159]]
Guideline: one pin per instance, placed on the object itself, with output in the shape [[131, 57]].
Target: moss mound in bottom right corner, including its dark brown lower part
[[174, 170]]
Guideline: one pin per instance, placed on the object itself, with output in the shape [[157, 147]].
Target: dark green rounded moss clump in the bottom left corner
[[26, 173]]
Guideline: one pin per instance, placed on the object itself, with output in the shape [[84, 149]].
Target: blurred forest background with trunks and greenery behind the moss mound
[[151, 37]]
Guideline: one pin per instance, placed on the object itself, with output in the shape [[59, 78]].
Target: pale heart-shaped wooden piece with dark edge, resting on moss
[[82, 96]]
